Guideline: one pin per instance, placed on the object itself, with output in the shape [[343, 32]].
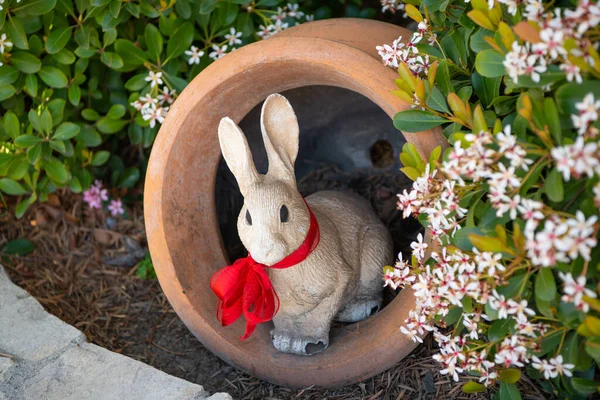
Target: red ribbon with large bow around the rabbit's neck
[[245, 288]]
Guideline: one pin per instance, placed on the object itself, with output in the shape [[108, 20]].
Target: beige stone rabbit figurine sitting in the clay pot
[[342, 278]]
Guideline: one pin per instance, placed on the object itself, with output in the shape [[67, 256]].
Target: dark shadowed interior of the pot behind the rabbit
[[346, 143]]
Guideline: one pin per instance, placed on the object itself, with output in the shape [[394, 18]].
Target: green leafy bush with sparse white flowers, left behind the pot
[[85, 84]]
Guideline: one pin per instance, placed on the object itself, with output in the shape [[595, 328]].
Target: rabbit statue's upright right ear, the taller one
[[280, 131]]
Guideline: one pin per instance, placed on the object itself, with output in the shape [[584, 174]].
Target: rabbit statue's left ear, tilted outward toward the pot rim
[[236, 153]]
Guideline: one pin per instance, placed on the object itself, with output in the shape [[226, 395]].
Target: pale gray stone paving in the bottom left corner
[[51, 360]]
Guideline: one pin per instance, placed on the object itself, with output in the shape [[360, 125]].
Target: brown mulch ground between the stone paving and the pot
[[126, 314]]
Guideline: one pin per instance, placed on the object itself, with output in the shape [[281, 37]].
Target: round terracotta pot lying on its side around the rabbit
[[179, 204]]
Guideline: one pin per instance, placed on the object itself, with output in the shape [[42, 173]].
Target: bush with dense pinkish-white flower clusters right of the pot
[[507, 275]]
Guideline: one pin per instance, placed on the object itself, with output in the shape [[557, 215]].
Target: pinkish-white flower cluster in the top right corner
[[562, 40]]
